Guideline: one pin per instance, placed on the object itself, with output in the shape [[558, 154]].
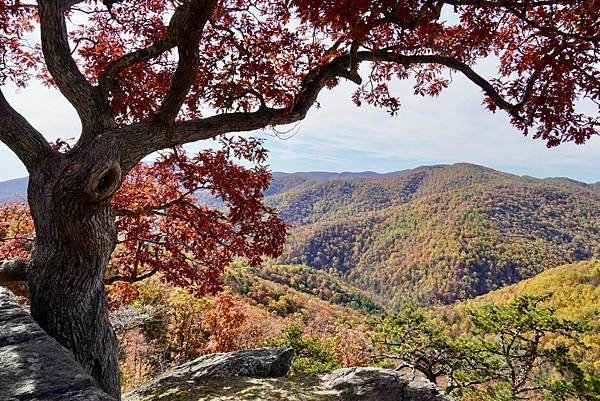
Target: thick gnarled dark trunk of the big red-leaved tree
[[75, 236]]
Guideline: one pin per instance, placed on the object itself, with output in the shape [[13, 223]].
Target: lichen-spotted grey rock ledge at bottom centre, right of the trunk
[[224, 377]]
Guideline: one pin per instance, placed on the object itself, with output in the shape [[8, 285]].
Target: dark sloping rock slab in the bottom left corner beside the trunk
[[34, 366]]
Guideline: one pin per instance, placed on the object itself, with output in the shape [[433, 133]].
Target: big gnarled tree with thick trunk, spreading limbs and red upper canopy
[[148, 75]]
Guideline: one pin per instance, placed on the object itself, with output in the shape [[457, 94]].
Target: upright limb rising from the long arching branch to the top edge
[[188, 22]]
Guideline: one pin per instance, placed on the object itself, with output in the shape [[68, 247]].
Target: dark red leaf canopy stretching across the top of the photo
[[269, 54]]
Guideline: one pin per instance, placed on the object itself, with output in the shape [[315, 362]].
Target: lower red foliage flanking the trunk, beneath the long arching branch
[[165, 229]]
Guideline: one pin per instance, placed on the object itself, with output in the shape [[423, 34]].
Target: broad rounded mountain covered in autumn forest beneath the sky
[[440, 234]]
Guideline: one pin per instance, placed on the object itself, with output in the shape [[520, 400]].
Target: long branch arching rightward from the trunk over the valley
[[147, 137]]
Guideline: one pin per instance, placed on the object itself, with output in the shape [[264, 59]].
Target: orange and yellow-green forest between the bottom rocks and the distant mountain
[[458, 346]]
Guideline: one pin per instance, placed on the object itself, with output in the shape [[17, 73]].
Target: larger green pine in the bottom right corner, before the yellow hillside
[[524, 358]]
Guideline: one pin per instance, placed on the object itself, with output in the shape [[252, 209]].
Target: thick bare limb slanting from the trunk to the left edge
[[27, 143]]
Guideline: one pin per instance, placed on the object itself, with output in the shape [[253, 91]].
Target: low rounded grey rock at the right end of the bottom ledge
[[372, 384]]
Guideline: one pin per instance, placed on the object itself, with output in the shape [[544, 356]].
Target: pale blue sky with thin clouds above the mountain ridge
[[338, 136]]
